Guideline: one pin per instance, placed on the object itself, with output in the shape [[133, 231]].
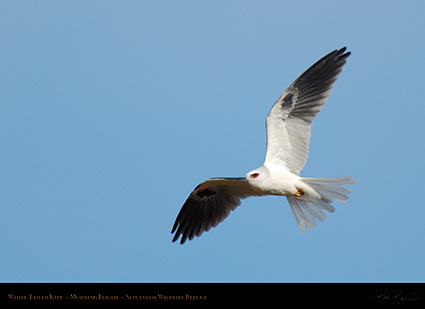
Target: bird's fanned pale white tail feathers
[[329, 189]]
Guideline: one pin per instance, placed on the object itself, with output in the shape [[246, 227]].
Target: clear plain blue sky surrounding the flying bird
[[111, 112]]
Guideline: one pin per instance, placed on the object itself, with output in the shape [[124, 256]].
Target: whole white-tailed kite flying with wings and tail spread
[[288, 136]]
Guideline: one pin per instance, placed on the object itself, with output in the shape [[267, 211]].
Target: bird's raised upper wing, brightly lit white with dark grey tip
[[290, 119]]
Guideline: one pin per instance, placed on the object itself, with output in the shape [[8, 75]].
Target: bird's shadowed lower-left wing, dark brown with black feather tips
[[208, 205]]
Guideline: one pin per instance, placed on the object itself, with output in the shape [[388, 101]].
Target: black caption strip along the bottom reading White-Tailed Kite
[[153, 294]]
